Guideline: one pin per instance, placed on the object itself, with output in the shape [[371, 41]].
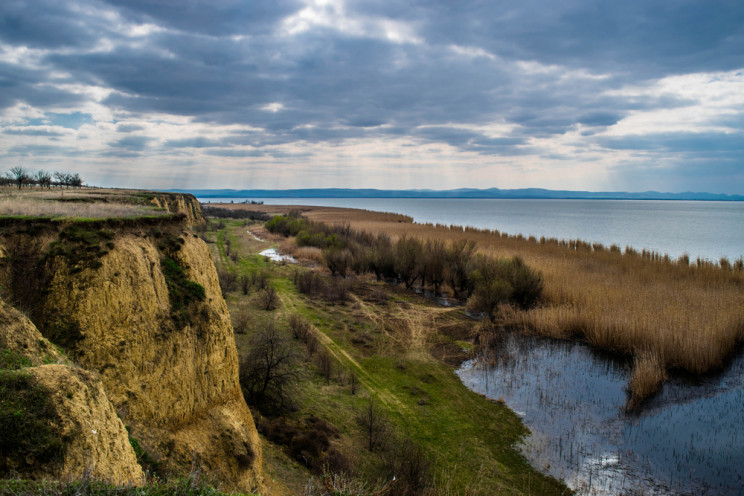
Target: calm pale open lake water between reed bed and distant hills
[[701, 229]]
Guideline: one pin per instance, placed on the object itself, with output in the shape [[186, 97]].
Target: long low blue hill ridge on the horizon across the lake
[[463, 193]]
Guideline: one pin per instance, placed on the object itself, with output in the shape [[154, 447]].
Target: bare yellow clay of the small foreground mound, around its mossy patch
[[93, 440]]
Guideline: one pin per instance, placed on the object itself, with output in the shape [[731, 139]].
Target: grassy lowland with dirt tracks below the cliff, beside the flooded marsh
[[395, 347]]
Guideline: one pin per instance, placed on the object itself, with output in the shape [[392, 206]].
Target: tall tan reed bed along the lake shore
[[691, 316]]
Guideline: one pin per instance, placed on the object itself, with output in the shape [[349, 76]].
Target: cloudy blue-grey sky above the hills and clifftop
[[563, 94]]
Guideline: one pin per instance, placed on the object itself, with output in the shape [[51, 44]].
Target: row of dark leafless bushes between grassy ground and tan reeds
[[484, 282]]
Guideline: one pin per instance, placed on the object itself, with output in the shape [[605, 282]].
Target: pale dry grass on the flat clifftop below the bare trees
[[66, 204]]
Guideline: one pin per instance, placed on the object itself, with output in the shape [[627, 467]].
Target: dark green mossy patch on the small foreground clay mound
[[26, 414]]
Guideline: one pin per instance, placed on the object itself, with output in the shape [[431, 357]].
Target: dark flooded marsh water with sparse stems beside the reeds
[[687, 440]]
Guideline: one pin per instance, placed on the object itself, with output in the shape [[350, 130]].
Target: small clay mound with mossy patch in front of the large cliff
[[64, 426]]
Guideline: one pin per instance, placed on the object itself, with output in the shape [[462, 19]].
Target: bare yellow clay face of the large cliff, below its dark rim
[[175, 387]]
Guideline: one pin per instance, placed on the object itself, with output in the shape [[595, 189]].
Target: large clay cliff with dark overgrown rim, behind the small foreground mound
[[139, 305]]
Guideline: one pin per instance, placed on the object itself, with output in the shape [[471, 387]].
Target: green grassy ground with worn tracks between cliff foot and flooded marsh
[[469, 438]]
